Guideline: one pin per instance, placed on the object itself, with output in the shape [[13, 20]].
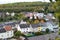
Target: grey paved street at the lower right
[[44, 37]]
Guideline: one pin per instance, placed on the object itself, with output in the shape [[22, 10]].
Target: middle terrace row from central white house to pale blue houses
[[26, 28]]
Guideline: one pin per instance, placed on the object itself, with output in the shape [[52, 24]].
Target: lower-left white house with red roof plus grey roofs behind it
[[6, 30]]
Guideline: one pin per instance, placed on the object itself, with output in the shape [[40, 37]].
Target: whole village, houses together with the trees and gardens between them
[[36, 24]]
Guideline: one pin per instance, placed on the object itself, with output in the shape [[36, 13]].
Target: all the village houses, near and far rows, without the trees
[[7, 28]]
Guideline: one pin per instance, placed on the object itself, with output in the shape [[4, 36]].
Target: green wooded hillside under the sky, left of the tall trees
[[23, 6]]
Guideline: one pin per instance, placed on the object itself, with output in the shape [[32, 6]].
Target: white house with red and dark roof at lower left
[[6, 32]]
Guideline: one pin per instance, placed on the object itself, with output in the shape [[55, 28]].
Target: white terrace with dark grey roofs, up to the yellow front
[[26, 28]]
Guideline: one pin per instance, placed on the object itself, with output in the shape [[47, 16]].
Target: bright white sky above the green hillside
[[13, 1]]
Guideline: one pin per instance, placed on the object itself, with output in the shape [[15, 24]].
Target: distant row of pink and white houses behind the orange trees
[[40, 15]]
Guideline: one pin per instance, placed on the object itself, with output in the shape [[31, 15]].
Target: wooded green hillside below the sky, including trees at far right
[[31, 6]]
